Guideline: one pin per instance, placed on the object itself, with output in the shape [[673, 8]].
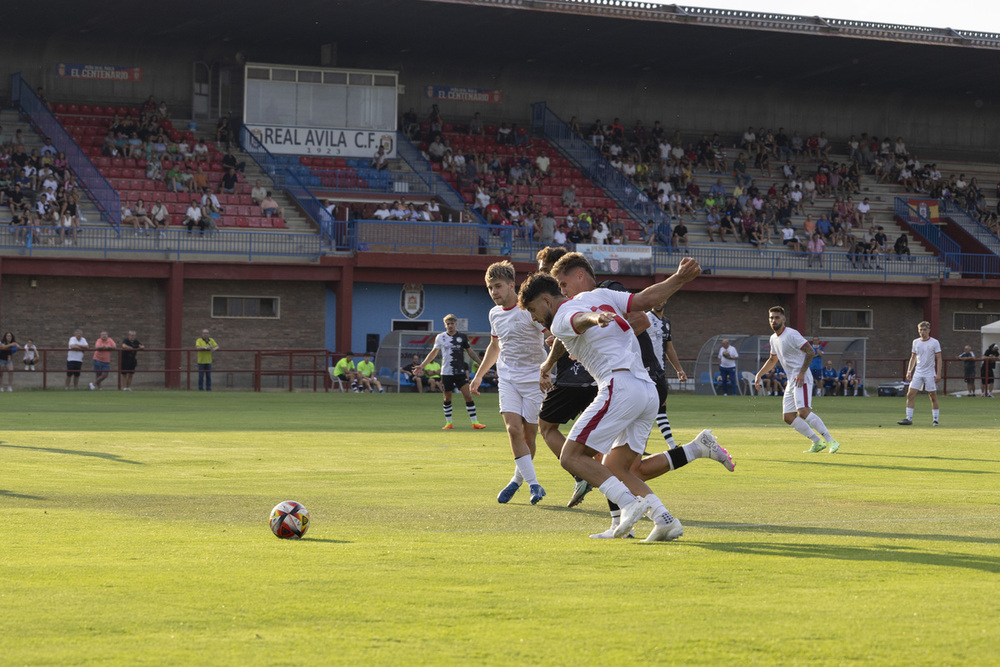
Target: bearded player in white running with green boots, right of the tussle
[[794, 352]]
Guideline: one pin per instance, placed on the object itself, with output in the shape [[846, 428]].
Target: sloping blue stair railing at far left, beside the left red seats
[[106, 198]]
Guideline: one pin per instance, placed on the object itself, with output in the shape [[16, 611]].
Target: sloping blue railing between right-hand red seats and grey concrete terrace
[[588, 159]]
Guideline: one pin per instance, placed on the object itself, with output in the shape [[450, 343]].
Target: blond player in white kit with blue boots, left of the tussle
[[517, 347]]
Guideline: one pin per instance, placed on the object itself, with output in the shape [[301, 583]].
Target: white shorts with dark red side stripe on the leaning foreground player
[[622, 414]]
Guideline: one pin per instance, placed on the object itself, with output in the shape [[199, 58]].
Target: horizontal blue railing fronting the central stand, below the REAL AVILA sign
[[442, 238]]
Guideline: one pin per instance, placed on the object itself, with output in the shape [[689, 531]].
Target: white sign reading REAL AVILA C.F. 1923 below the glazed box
[[321, 141]]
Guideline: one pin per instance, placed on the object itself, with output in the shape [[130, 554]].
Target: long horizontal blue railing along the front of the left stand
[[172, 243]]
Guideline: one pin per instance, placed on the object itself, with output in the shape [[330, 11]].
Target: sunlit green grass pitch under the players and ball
[[135, 533]]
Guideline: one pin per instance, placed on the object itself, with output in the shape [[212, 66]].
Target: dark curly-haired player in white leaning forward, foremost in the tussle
[[617, 424]]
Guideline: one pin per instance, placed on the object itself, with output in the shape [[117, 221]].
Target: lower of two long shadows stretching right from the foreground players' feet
[[881, 554]]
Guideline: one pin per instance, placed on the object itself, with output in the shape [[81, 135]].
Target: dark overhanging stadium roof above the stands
[[688, 44]]
